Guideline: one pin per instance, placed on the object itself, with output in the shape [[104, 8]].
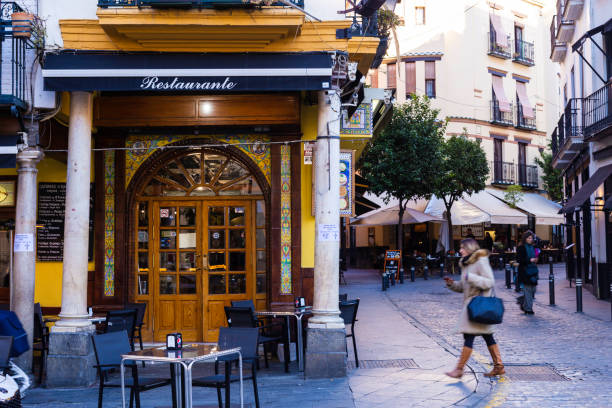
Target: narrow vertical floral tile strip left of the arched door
[[109, 223]]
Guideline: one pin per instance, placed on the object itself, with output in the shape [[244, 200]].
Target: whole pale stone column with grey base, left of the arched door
[[71, 359]]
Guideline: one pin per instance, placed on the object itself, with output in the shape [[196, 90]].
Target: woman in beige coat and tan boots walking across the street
[[476, 279]]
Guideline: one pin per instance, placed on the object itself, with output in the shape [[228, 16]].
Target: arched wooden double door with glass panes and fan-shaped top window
[[201, 244]]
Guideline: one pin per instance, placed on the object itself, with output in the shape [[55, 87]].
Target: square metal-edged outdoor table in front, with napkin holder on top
[[185, 358]]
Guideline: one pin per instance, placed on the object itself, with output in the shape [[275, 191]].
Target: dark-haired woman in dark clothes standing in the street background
[[528, 270]]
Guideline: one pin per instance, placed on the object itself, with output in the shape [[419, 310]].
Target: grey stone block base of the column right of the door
[[325, 353]]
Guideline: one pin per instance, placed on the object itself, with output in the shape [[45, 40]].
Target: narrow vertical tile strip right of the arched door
[[285, 175]]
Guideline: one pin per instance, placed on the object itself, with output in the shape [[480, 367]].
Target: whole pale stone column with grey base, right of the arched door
[[326, 350]]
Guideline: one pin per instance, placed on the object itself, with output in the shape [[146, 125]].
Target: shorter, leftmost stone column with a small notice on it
[[22, 281]]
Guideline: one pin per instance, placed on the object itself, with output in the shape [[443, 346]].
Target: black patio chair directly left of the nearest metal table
[[108, 349]]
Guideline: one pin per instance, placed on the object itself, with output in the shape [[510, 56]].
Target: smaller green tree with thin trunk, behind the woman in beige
[[464, 170]]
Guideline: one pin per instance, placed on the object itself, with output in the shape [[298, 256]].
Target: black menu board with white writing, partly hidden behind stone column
[[50, 234]]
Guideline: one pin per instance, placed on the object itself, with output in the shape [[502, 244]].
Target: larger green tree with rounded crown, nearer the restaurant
[[404, 160]]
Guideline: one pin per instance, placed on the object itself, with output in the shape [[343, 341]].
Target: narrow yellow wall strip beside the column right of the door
[[309, 130]]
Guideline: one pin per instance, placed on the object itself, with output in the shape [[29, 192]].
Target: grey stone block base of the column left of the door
[[71, 358]]
